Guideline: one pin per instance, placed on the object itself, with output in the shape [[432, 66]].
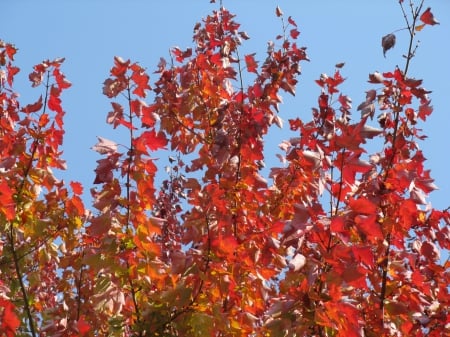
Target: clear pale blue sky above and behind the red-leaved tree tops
[[89, 33]]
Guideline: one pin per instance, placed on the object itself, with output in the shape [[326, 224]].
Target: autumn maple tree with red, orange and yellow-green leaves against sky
[[334, 242]]
